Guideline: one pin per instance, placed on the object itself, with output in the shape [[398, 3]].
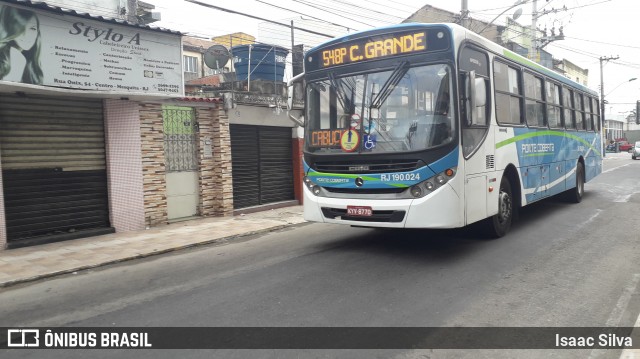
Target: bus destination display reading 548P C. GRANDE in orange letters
[[377, 47]]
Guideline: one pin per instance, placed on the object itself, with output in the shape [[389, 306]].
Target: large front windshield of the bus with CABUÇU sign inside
[[405, 109]]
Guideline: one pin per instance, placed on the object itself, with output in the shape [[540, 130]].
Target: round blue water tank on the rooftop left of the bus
[[267, 62]]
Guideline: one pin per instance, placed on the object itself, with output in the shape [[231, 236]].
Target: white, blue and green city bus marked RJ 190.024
[[433, 126]]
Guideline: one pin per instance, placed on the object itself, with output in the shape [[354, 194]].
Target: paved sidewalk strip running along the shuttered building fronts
[[36, 262]]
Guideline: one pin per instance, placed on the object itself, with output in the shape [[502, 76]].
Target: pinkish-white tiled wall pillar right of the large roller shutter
[[124, 165]]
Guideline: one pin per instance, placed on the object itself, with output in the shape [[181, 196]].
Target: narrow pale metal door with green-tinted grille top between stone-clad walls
[[181, 154]]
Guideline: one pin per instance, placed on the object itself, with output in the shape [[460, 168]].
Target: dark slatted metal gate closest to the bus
[[262, 165]]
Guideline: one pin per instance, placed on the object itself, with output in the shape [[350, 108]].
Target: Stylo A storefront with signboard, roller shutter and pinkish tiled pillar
[[71, 121]]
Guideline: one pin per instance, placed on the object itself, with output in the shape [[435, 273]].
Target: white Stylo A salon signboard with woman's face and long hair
[[67, 51]]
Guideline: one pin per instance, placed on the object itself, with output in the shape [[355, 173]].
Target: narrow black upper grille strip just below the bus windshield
[[369, 167]]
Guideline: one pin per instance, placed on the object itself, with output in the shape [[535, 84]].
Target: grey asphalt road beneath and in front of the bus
[[562, 265]]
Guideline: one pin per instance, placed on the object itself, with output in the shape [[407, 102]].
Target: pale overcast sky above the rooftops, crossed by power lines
[[592, 28]]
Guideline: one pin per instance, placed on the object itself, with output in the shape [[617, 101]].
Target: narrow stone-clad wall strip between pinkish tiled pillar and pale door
[[153, 164]]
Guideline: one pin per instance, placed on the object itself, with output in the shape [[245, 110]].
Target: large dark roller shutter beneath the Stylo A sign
[[53, 165]]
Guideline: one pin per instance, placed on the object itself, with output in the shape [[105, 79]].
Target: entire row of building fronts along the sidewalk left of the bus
[[105, 140]]
